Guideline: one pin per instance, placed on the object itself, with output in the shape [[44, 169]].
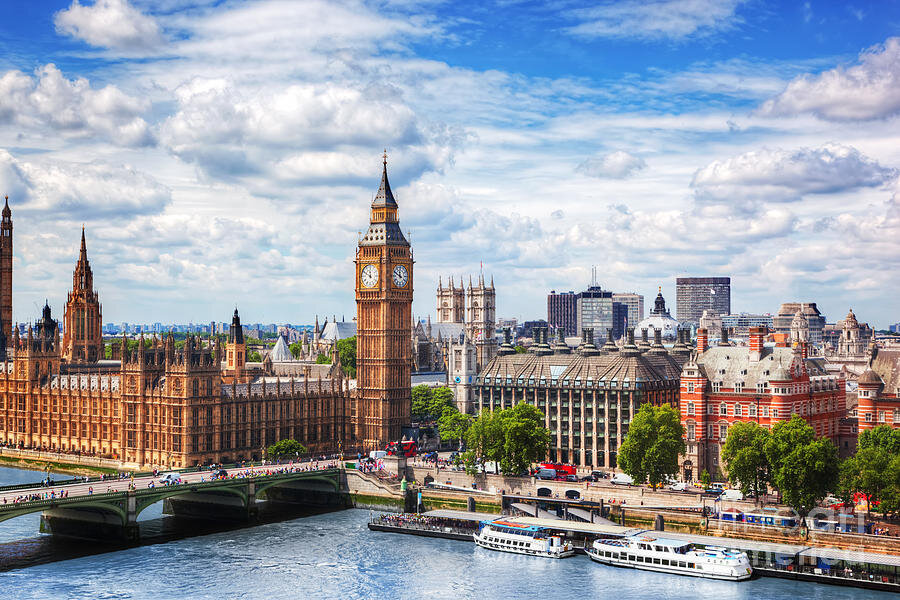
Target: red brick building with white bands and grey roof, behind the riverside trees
[[726, 384]]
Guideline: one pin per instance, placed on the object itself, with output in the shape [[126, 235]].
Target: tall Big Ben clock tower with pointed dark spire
[[384, 288]]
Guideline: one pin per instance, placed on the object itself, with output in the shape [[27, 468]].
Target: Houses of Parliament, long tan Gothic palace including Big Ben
[[156, 404]]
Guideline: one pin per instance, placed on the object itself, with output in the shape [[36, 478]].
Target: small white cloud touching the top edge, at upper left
[[111, 24]]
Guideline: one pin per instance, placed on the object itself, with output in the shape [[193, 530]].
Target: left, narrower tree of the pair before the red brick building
[[744, 455]]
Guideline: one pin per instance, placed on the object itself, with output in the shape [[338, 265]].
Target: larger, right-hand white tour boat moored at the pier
[[667, 555]]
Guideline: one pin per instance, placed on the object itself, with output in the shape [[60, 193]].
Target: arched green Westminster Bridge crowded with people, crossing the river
[[108, 508]]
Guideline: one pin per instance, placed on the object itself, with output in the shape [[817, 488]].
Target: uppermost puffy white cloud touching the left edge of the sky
[[71, 107]]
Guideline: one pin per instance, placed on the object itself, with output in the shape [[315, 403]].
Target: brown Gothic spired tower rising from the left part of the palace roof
[[82, 336]]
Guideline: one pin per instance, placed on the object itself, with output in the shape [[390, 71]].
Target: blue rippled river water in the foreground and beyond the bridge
[[330, 555]]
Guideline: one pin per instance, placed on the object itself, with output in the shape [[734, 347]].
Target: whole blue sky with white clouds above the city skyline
[[224, 153]]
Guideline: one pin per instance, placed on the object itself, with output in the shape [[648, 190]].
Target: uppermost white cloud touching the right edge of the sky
[[868, 90]]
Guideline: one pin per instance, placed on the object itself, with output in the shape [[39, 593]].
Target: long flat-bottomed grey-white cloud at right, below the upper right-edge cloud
[[778, 175]]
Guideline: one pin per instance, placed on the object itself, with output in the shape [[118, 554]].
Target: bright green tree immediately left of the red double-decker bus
[[525, 439]]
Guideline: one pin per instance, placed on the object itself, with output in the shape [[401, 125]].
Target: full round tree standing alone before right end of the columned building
[[652, 445]]
